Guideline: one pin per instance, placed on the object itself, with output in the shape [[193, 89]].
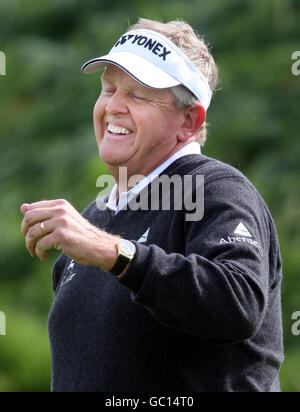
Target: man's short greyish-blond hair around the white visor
[[196, 49]]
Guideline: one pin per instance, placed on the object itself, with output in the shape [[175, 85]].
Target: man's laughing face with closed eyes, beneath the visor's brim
[[135, 126]]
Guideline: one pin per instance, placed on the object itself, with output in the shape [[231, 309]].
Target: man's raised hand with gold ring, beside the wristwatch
[[68, 231]]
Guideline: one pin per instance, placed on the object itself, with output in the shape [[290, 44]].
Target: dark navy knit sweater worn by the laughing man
[[198, 310]]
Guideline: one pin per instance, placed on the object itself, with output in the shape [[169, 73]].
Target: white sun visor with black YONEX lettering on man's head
[[154, 61]]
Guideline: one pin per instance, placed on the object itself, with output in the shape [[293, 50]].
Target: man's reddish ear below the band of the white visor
[[194, 118]]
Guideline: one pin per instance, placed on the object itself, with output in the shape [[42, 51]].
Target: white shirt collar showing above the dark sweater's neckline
[[125, 197]]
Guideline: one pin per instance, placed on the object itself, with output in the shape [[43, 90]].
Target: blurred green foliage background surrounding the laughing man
[[47, 147]]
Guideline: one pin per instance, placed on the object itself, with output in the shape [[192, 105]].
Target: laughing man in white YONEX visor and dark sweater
[[146, 300]]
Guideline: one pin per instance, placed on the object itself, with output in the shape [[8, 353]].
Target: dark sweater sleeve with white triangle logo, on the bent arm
[[218, 289]]
